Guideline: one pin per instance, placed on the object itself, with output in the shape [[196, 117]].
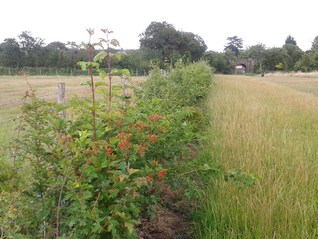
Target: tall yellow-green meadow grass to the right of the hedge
[[268, 128]]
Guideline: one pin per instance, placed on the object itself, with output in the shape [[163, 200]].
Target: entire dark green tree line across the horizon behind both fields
[[162, 45]]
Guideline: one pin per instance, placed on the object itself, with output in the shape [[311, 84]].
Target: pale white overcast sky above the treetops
[[255, 21]]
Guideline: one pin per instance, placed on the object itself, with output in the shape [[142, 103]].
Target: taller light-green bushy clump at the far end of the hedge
[[186, 85]]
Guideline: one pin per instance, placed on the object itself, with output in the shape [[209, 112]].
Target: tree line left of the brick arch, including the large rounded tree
[[161, 44]]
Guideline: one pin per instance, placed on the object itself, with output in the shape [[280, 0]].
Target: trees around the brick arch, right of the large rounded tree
[[289, 57]]
